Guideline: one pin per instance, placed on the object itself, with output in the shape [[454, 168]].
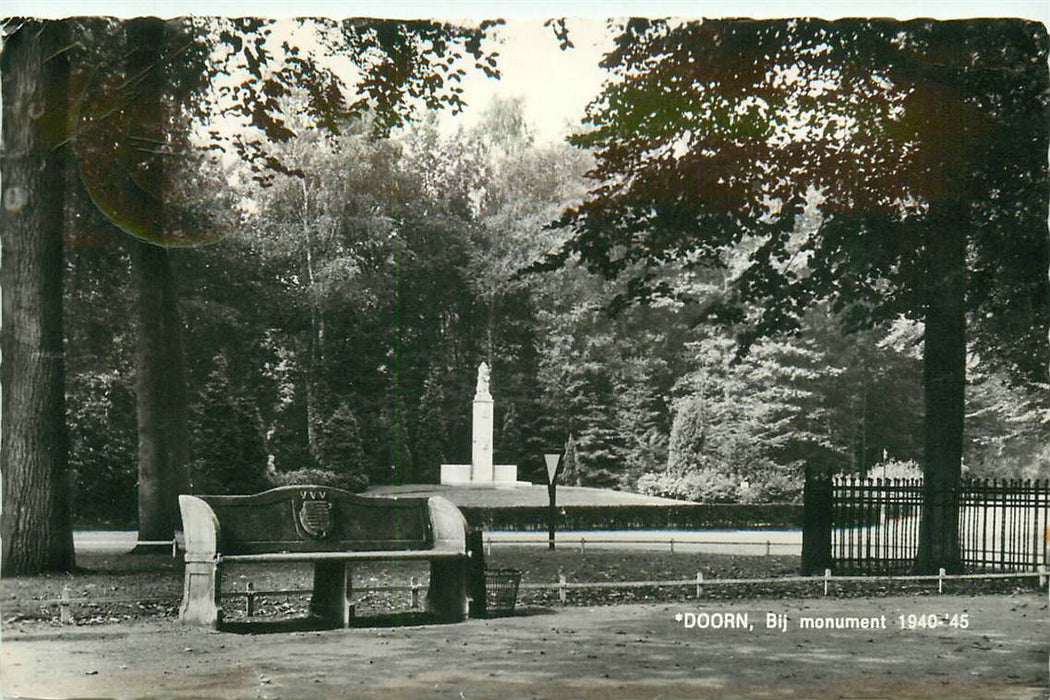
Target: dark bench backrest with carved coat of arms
[[316, 519]]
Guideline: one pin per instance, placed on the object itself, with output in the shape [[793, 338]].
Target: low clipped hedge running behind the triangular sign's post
[[686, 517]]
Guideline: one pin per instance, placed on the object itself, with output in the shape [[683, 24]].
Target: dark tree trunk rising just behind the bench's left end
[[160, 377]]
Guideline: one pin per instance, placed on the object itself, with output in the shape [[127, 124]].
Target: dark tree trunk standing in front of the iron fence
[[944, 374]]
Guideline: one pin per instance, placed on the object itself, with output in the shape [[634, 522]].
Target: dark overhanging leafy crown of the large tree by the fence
[[720, 133]]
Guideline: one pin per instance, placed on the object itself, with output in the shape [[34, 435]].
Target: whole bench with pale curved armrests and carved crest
[[330, 528]]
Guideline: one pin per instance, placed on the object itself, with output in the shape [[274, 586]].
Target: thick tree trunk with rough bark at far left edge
[[37, 527]]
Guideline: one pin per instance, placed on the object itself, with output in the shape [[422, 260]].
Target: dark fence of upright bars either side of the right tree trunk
[[875, 523]]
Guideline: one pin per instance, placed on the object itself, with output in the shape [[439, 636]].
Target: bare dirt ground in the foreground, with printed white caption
[[627, 651]]
